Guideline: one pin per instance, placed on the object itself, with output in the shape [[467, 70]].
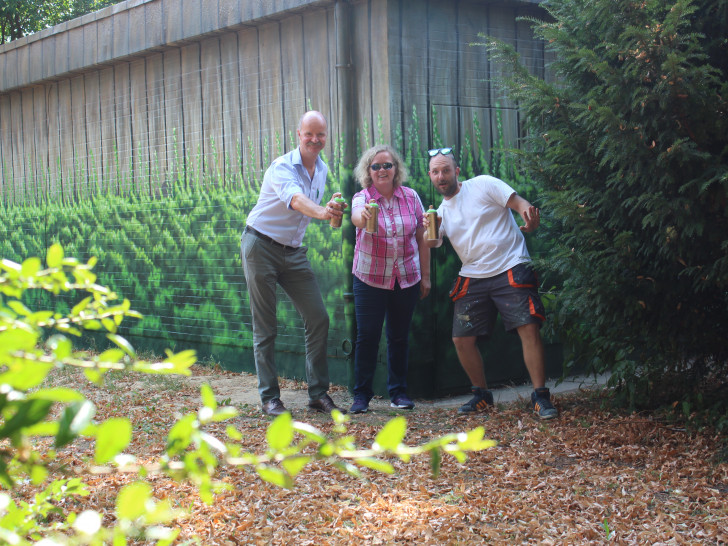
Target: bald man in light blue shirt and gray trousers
[[272, 254]]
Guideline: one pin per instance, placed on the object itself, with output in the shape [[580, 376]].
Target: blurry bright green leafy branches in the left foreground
[[33, 343]]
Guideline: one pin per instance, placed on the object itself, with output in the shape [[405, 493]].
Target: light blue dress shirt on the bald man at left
[[272, 215]]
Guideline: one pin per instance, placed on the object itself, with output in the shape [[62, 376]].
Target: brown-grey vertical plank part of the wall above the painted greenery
[[138, 91]]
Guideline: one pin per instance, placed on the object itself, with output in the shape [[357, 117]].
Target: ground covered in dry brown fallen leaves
[[590, 476]]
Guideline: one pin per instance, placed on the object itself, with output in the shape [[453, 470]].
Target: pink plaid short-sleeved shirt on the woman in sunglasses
[[391, 254]]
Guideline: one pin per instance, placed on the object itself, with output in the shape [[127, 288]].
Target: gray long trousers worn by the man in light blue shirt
[[266, 264]]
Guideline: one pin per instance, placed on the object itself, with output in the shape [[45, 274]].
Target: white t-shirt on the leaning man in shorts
[[482, 229]]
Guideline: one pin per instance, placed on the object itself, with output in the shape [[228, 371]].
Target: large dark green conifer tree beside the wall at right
[[629, 142]]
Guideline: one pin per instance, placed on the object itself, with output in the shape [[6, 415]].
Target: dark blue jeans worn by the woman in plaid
[[372, 306]]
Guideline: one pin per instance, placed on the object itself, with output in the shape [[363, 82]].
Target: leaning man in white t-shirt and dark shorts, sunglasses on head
[[496, 274]]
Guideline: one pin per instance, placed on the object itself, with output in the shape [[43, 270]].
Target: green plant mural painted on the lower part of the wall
[[171, 243]]
